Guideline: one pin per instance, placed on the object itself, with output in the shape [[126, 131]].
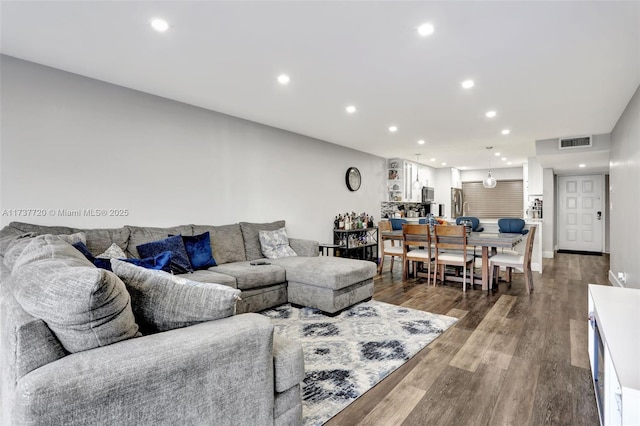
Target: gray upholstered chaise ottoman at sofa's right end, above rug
[[330, 284]]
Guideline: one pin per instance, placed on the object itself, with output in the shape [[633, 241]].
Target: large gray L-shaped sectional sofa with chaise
[[226, 371]]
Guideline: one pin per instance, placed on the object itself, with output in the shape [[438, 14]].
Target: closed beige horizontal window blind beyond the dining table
[[505, 200]]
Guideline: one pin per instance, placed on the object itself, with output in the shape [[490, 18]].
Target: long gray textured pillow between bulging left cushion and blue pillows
[[162, 301]]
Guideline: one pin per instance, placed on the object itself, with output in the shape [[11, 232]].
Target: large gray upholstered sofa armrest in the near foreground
[[206, 371]]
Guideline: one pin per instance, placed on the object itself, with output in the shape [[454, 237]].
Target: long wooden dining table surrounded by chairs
[[489, 241]]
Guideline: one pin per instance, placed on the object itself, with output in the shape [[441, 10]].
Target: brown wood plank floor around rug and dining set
[[511, 359]]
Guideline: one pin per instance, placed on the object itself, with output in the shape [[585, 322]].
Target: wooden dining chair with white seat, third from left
[[451, 250]]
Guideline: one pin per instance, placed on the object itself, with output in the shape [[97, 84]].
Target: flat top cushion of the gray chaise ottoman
[[330, 272]]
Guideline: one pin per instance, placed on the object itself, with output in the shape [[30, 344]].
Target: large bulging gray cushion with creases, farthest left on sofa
[[84, 306]]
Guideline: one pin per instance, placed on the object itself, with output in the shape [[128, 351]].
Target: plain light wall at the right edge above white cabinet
[[624, 188]]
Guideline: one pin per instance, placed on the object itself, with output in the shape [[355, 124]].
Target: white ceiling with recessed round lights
[[549, 69]]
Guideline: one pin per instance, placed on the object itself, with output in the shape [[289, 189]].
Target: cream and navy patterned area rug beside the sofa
[[346, 355]]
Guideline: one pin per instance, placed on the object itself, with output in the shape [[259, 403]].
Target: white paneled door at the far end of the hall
[[580, 209]]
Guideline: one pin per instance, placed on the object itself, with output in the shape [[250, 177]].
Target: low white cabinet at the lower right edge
[[614, 353]]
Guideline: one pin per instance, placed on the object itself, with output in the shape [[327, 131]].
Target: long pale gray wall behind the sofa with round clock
[[70, 142]]
